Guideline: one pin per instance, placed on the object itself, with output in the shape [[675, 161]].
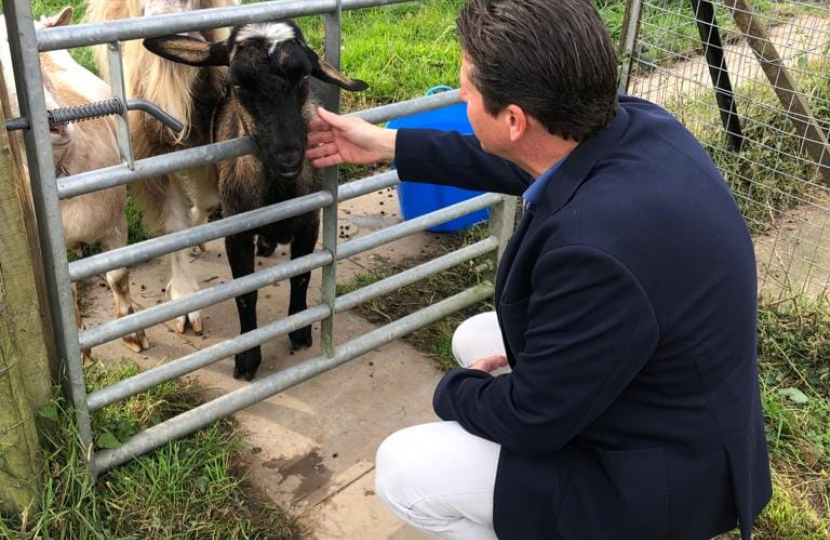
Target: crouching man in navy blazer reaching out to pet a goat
[[626, 301]]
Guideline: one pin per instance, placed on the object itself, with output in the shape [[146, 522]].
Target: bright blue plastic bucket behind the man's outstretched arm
[[417, 199]]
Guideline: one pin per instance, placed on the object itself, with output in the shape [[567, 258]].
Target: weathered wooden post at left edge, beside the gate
[[25, 376]]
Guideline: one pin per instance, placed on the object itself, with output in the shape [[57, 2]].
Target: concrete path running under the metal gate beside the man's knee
[[311, 448]]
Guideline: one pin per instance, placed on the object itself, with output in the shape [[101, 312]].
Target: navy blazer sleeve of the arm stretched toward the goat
[[448, 158]]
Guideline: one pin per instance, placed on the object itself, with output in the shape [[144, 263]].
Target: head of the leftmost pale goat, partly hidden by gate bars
[[61, 134]]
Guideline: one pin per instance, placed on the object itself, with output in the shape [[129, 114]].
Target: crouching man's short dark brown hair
[[552, 58]]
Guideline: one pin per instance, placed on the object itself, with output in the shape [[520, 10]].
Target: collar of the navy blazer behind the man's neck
[[576, 166]]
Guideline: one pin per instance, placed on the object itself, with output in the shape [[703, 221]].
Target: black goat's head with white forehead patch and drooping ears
[[269, 66]]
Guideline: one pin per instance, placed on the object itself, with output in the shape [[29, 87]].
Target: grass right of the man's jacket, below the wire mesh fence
[[795, 384]]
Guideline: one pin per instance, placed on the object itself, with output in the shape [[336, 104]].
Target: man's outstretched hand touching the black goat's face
[[334, 139]]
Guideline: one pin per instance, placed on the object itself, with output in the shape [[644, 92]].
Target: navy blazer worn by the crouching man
[[627, 304]]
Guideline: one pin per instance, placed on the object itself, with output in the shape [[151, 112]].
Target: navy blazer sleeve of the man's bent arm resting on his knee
[[590, 330]]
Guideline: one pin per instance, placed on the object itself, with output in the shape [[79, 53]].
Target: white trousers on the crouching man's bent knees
[[438, 477]]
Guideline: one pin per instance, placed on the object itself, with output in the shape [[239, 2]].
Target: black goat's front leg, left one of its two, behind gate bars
[[240, 250]]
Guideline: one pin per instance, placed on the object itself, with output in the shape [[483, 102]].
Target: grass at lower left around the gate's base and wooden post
[[189, 489]]
